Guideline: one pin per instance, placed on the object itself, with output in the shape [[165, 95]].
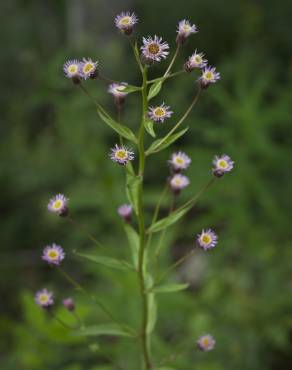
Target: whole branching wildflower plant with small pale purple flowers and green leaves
[[132, 152]]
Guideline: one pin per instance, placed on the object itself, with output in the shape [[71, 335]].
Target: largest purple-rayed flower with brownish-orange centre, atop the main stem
[[153, 49]]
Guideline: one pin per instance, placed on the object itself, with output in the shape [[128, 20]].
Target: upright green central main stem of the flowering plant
[[141, 260]]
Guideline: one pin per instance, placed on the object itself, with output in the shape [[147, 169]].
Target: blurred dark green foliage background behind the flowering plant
[[53, 141]]
